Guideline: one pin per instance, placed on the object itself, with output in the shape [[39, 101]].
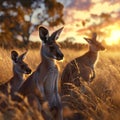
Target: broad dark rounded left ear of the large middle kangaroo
[[44, 34]]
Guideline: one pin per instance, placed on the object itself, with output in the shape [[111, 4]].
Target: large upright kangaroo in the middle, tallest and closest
[[43, 83]]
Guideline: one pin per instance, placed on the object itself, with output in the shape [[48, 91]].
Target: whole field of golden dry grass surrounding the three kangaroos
[[100, 102]]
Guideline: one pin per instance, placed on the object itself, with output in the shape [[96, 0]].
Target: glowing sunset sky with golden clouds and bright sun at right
[[81, 15]]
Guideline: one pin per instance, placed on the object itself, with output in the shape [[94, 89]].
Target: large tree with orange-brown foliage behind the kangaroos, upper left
[[19, 18]]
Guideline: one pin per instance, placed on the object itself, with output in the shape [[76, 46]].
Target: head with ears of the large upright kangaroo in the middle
[[50, 48]]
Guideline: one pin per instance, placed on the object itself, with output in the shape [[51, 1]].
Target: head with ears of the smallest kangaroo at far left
[[19, 65]]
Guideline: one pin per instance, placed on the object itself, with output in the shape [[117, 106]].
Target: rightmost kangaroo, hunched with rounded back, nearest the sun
[[83, 66]]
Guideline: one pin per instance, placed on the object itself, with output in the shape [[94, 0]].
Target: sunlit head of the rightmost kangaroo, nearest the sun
[[94, 44]]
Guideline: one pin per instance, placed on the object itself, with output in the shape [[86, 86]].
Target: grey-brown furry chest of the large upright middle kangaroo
[[48, 78]]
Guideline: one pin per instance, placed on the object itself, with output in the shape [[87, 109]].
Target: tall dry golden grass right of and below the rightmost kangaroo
[[101, 99]]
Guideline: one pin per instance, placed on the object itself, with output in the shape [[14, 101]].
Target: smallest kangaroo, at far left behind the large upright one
[[19, 68]]
